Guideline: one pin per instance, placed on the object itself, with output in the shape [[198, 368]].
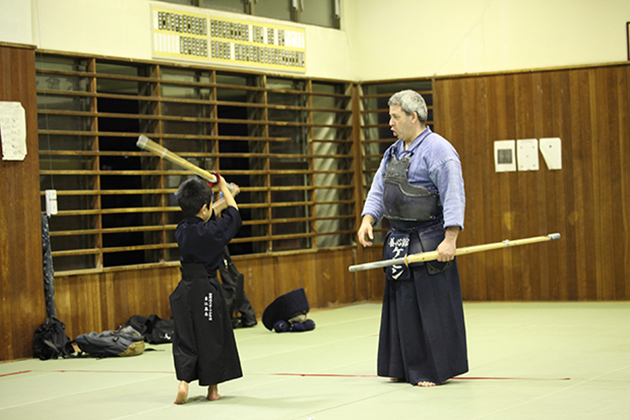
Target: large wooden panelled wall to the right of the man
[[586, 201]]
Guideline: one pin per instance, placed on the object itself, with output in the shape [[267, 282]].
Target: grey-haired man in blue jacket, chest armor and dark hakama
[[419, 188]]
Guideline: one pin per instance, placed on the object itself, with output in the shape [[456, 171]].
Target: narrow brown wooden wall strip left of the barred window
[[21, 273]]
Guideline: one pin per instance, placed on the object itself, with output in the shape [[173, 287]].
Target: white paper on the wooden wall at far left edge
[[13, 130]]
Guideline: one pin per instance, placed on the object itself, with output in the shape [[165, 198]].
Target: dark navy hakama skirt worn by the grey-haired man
[[422, 336]]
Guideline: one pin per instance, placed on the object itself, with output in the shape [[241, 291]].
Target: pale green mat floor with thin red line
[[527, 360]]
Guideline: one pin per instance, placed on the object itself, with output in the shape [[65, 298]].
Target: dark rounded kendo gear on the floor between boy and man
[[288, 313]]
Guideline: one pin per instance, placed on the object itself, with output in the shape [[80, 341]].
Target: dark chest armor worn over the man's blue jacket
[[404, 201]]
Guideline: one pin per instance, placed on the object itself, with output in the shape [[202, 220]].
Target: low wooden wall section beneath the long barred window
[[98, 302]]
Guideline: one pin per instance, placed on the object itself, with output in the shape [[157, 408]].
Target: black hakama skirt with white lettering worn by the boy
[[204, 348]]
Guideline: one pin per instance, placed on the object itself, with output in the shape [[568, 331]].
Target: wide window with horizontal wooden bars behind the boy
[[286, 141]]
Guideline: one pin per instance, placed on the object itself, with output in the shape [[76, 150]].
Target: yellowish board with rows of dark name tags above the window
[[204, 38]]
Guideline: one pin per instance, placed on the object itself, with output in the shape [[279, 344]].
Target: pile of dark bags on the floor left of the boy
[[50, 340]]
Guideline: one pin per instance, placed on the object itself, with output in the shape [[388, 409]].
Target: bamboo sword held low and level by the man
[[432, 255]]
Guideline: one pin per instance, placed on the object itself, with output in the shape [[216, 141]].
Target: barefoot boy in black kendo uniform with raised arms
[[204, 348]]
